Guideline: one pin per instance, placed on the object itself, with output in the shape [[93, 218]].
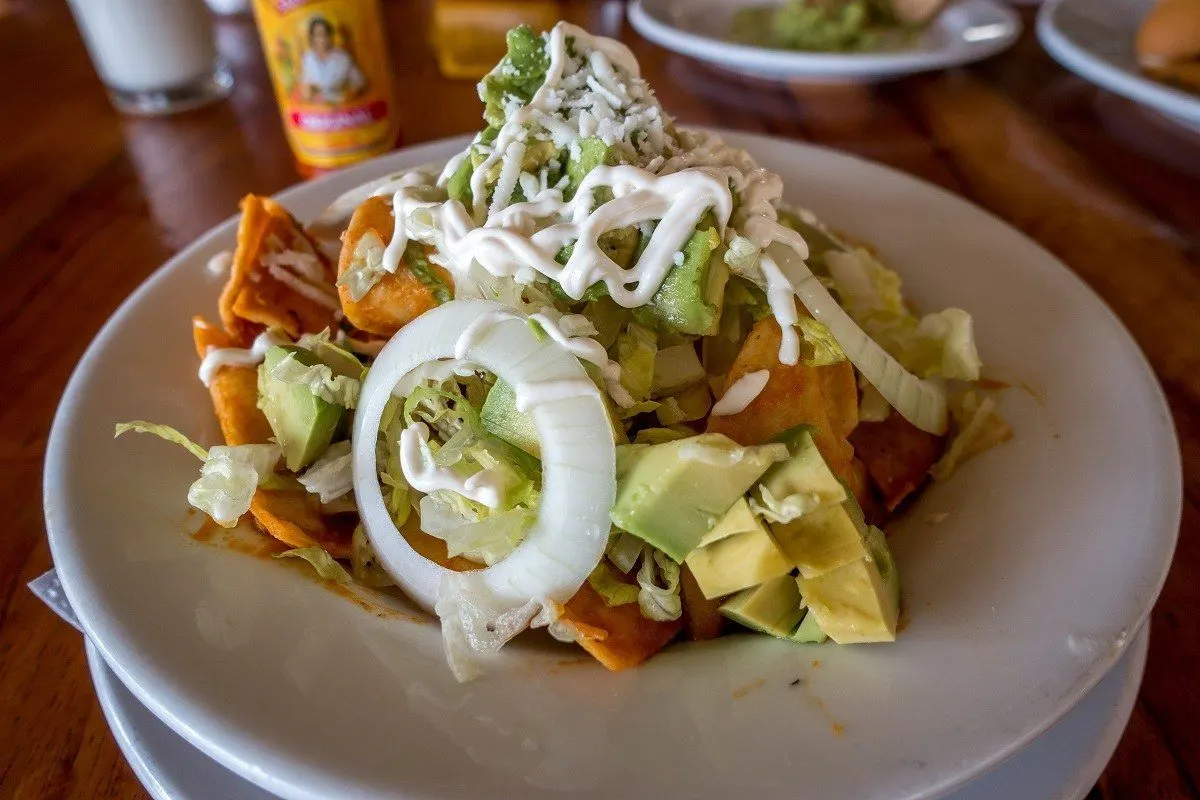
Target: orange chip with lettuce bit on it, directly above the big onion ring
[[399, 298]]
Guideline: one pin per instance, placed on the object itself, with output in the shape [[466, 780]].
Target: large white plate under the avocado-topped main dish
[[1021, 601]]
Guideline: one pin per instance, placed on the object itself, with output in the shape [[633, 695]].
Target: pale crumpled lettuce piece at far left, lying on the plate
[[229, 480]]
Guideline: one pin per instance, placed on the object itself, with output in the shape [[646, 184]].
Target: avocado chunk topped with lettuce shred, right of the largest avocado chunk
[[801, 484]]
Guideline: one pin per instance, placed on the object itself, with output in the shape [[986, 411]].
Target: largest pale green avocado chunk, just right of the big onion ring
[[675, 492]]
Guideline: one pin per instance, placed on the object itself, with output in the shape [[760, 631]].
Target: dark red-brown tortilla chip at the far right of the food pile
[[898, 456]]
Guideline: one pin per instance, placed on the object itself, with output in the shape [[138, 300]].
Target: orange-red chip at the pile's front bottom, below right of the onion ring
[[619, 637]]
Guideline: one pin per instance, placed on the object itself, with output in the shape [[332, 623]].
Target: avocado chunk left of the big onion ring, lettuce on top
[[304, 424]]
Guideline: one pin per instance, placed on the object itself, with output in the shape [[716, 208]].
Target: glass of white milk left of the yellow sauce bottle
[[155, 57]]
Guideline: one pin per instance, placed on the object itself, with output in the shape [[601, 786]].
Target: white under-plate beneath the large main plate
[[1063, 765]]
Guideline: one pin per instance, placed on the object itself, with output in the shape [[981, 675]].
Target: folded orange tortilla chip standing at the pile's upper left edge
[[280, 279]]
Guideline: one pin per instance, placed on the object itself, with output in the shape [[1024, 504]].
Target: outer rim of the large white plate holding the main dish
[[74, 574]]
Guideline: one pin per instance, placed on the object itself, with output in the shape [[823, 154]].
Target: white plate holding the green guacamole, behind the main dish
[[967, 32]]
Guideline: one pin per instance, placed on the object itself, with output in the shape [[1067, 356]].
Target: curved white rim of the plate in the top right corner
[[1167, 100]]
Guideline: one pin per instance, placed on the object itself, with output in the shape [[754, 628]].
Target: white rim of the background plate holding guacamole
[[782, 64]]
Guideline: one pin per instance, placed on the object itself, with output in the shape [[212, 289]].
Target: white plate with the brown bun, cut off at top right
[[1095, 40]]
